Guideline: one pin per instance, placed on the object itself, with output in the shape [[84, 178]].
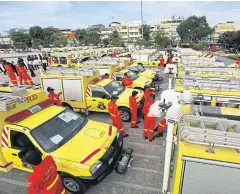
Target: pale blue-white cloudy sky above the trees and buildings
[[82, 14]]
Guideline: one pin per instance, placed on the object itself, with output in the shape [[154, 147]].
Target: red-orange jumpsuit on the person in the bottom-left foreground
[[45, 179]]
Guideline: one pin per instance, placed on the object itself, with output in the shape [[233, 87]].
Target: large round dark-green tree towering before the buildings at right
[[194, 29]]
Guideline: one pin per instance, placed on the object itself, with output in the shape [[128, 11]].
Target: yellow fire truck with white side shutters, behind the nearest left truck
[[84, 89]]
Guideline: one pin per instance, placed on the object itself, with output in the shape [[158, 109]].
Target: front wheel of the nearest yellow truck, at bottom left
[[72, 184]]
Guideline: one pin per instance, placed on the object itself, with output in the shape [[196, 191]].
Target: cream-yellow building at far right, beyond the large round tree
[[220, 28]]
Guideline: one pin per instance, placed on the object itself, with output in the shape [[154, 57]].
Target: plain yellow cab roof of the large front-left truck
[[41, 117]]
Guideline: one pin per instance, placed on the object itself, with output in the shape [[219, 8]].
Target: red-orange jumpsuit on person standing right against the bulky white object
[[146, 123]]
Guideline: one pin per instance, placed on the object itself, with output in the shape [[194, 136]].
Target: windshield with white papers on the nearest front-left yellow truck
[[58, 130]]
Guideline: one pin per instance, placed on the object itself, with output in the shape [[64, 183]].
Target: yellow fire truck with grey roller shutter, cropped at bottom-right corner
[[205, 157]]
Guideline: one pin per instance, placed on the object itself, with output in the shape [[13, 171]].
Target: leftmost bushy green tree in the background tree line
[[20, 38]]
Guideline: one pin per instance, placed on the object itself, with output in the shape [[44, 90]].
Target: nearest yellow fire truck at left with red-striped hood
[[85, 151]]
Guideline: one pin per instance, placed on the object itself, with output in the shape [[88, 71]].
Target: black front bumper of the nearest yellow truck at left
[[106, 168]]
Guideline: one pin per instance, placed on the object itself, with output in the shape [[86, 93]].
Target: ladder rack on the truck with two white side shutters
[[80, 72]]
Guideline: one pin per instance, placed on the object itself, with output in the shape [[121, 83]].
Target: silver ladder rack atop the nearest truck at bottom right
[[210, 131]]
